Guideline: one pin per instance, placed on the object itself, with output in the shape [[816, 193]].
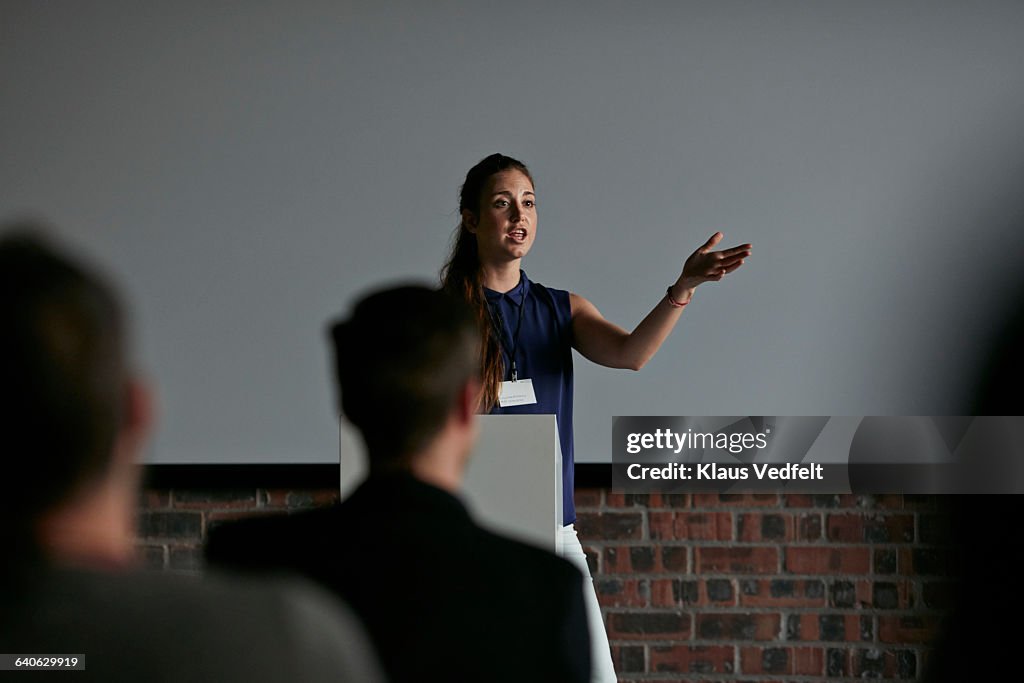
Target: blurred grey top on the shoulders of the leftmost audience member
[[135, 626]]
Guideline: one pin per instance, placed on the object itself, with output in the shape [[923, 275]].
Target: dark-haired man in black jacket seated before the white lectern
[[444, 600]]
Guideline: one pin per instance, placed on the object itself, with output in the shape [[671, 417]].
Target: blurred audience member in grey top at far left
[[73, 419]]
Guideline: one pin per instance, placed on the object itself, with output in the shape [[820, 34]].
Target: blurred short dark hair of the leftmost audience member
[[63, 374]]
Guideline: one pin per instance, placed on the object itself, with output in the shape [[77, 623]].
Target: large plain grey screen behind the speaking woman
[[247, 168]]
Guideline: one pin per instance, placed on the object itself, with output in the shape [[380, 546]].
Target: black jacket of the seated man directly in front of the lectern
[[443, 599]]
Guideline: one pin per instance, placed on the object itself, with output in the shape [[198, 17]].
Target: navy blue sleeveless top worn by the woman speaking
[[544, 355]]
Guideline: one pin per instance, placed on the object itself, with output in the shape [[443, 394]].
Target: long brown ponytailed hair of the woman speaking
[[463, 277]]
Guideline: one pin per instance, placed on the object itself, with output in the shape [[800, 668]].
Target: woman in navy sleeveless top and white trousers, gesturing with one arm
[[530, 330]]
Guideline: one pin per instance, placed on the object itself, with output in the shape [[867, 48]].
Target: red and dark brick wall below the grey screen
[[708, 587]]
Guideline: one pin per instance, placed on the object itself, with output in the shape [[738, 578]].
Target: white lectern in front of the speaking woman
[[515, 482]]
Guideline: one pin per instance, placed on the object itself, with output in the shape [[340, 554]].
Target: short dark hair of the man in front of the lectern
[[401, 360]]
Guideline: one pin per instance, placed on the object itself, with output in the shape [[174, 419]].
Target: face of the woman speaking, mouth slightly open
[[507, 224]]
